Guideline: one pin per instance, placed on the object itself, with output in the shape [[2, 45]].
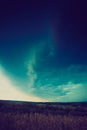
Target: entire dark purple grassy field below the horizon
[[42, 116]]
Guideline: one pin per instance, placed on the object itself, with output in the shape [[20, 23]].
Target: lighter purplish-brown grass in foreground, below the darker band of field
[[38, 121]]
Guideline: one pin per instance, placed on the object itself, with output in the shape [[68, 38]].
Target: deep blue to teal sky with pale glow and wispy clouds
[[43, 51]]
